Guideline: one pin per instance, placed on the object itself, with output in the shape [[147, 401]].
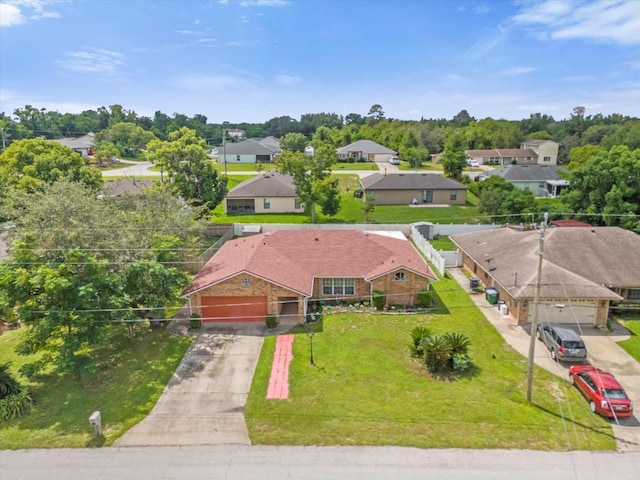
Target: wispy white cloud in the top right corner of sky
[[616, 21]]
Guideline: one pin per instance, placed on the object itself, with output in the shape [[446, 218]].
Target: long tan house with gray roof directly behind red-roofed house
[[413, 188]]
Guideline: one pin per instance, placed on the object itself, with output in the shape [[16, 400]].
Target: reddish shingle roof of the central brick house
[[293, 258]]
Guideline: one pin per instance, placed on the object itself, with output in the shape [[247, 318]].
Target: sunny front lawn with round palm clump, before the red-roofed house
[[366, 389]]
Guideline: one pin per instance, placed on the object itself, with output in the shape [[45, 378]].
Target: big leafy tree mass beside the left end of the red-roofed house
[[83, 265]]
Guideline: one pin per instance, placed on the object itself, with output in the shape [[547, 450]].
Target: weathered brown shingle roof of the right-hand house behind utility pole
[[567, 271]]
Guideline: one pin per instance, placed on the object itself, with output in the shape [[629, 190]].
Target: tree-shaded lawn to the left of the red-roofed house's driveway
[[132, 376]]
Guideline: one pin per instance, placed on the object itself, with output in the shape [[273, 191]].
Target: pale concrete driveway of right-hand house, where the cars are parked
[[603, 352]]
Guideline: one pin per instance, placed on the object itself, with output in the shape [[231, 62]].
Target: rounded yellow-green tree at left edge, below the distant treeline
[[29, 164]]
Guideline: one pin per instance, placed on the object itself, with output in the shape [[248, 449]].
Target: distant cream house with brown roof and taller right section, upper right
[[531, 152]]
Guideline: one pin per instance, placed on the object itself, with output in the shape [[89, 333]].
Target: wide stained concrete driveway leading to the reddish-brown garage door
[[204, 401]]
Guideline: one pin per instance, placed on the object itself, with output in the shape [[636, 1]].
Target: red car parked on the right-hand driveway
[[601, 389]]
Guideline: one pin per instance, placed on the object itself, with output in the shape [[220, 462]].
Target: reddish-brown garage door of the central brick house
[[234, 309]]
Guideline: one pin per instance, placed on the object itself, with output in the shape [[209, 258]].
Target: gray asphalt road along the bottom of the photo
[[243, 462]]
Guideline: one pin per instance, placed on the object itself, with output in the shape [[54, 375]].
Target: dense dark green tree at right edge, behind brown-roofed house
[[606, 188]]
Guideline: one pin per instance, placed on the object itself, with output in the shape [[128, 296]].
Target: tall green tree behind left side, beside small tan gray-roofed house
[[190, 172]]
